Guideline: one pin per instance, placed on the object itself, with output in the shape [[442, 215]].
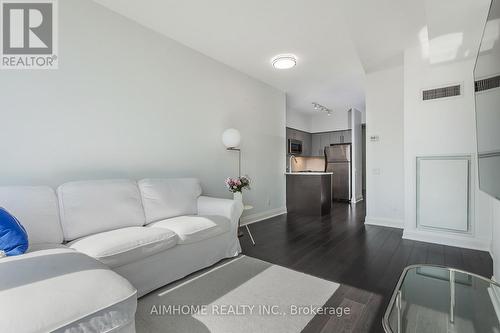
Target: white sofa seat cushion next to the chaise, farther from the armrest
[[122, 246]]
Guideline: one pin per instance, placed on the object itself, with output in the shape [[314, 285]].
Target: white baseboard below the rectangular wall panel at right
[[449, 240]]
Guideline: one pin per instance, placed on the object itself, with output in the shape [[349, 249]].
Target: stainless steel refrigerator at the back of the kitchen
[[338, 160]]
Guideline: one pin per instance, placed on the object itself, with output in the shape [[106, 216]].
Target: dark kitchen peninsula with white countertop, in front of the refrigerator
[[309, 193]]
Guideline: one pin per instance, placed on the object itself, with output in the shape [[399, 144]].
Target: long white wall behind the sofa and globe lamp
[[128, 102]]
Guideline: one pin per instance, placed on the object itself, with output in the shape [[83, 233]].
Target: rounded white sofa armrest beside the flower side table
[[228, 208]]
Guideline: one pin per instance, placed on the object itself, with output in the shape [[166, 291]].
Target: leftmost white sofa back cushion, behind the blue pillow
[[36, 209]]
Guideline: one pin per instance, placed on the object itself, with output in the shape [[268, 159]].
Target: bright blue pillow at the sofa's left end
[[13, 236]]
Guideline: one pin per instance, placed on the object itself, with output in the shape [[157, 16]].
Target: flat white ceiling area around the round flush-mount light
[[247, 34]]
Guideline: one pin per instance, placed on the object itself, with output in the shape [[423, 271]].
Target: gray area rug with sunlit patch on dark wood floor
[[240, 295]]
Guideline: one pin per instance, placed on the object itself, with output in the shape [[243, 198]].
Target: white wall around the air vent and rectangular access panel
[[441, 127]]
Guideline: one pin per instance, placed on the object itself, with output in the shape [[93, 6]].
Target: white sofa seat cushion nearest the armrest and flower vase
[[192, 229]]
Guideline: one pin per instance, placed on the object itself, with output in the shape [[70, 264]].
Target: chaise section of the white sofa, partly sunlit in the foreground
[[65, 291]]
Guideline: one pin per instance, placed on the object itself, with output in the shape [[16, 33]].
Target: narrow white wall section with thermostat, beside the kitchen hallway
[[384, 168]]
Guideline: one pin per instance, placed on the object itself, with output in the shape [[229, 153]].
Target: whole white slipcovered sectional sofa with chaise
[[98, 245]]
